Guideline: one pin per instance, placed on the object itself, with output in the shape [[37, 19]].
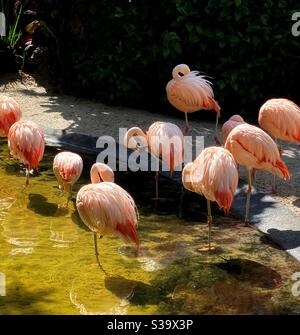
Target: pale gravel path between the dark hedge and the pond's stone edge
[[96, 119]]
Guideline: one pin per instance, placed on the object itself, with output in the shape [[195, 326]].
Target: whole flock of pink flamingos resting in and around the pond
[[106, 208]]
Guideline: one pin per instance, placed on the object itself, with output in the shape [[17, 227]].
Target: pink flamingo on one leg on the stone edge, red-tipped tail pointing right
[[255, 149]]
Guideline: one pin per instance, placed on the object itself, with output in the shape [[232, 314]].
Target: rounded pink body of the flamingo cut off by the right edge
[[281, 118]]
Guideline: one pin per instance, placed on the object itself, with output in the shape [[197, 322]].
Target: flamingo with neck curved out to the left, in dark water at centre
[[163, 139]]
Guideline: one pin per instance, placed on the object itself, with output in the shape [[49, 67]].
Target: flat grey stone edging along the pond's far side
[[275, 220]]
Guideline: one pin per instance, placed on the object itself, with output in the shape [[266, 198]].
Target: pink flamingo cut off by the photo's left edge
[[10, 113]]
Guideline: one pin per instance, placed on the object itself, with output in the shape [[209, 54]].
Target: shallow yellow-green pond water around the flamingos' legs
[[47, 255]]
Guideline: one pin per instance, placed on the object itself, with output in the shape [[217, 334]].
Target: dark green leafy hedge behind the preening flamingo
[[123, 52]]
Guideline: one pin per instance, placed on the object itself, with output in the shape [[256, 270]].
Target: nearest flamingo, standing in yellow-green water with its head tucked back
[[106, 208]]
